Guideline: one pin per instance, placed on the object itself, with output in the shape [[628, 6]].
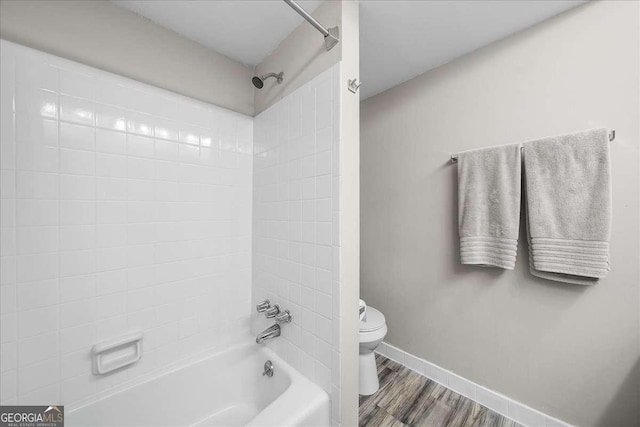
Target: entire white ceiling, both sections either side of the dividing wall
[[399, 39]]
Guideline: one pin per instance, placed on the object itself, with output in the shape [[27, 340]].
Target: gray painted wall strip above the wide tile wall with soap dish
[[102, 35]]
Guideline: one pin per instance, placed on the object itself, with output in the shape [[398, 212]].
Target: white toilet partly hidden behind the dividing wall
[[372, 332]]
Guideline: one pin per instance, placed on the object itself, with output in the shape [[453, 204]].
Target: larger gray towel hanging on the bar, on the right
[[568, 192]]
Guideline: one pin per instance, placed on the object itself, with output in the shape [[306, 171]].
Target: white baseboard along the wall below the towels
[[495, 401]]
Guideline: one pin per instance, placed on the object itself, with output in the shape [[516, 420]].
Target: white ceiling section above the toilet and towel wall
[[402, 39]]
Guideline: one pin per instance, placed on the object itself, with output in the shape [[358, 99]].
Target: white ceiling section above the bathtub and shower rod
[[244, 30]]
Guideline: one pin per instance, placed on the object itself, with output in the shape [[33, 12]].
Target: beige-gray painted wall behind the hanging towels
[[572, 352]]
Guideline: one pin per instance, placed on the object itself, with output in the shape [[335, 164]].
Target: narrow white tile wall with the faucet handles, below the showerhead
[[296, 238]]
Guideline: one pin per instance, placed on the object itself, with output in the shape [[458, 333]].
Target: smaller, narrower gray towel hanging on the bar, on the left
[[489, 182]]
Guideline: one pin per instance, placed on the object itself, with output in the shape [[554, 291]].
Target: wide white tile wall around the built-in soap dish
[[124, 207]]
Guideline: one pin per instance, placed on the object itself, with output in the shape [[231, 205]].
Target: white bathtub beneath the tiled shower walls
[[223, 389]]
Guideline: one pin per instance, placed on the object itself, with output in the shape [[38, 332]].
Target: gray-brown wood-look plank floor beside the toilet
[[407, 398]]
